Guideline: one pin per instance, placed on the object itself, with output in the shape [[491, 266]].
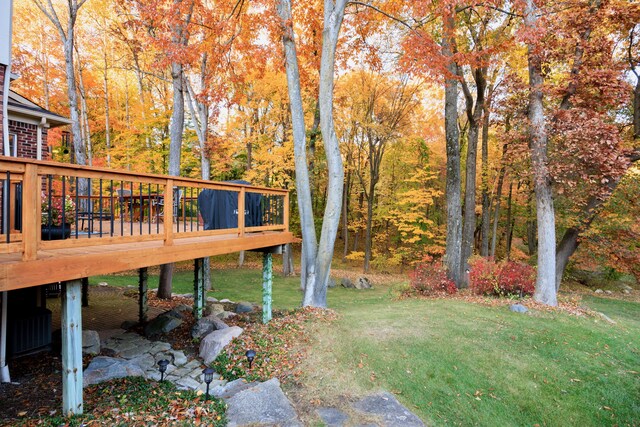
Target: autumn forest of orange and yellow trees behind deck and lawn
[[432, 113]]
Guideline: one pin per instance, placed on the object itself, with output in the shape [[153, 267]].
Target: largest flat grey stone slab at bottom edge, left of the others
[[261, 405]]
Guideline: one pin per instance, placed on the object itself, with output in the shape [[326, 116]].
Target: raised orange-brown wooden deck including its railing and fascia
[[123, 239]]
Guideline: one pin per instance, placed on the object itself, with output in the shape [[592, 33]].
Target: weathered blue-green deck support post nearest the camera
[[71, 312]]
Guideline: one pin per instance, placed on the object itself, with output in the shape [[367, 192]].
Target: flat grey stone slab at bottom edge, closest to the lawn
[[387, 407]]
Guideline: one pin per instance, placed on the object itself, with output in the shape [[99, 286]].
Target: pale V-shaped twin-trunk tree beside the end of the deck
[[316, 263]]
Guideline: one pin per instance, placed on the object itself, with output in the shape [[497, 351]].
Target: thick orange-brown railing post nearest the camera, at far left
[[30, 213]]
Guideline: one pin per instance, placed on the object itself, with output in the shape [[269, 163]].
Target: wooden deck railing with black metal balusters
[[49, 205]]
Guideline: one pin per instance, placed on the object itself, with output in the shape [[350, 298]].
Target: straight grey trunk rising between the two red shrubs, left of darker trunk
[[453, 254]]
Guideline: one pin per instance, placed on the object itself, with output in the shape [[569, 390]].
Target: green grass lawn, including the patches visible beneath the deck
[[458, 363]]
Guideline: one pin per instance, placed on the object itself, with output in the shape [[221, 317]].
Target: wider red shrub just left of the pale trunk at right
[[502, 279]]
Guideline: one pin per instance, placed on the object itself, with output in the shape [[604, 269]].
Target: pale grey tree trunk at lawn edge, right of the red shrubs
[[546, 281]]
